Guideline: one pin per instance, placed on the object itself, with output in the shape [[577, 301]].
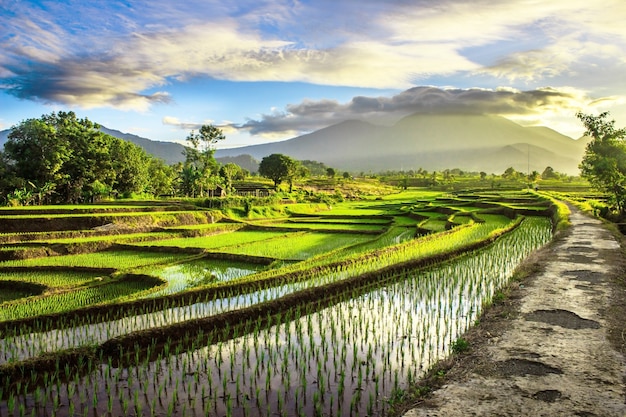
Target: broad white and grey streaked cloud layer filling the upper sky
[[145, 46]]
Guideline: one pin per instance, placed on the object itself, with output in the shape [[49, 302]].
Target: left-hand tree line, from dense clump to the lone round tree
[[61, 158]]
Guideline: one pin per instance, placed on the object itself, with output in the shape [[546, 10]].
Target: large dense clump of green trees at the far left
[[67, 159]]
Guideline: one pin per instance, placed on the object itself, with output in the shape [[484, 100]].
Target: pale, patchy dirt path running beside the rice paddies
[[560, 349]]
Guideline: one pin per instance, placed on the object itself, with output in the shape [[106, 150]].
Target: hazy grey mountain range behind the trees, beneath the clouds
[[428, 141]]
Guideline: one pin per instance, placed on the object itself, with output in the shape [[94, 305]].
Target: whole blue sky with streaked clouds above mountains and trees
[[269, 70]]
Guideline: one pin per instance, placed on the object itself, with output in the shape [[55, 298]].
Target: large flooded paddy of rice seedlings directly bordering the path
[[348, 359]]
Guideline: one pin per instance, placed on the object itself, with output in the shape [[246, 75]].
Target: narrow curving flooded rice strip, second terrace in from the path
[[144, 319]]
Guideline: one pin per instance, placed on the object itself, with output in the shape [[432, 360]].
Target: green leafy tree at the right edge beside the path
[[604, 161]]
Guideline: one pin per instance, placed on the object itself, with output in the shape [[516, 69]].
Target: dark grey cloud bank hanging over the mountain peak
[[311, 115]]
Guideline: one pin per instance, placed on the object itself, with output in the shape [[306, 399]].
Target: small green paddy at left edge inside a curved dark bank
[[52, 279]]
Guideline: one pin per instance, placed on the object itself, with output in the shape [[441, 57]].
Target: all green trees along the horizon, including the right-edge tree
[[60, 158]]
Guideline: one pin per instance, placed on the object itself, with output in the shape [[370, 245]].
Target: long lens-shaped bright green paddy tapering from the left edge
[[122, 260]]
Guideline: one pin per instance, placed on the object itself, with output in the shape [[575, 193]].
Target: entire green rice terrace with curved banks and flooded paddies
[[167, 309]]
